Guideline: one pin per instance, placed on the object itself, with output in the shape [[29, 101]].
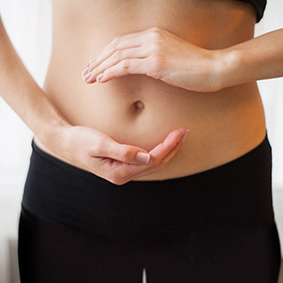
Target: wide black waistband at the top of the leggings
[[233, 196]]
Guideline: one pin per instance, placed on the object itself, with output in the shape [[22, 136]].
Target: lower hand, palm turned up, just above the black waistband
[[96, 152]]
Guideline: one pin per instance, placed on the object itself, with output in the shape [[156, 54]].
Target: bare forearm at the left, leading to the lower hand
[[24, 96]]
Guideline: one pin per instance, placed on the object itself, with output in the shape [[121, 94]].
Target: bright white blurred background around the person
[[28, 23]]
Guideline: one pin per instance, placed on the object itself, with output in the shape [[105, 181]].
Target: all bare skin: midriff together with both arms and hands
[[157, 68]]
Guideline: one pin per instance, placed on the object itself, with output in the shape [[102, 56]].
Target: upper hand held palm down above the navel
[[157, 54]]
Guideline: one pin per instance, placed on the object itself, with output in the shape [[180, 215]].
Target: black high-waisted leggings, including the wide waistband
[[214, 226]]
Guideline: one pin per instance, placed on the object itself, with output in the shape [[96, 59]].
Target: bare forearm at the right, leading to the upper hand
[[256, 59]]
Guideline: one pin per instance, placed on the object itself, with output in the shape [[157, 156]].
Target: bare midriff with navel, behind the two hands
[[139, 110]]
